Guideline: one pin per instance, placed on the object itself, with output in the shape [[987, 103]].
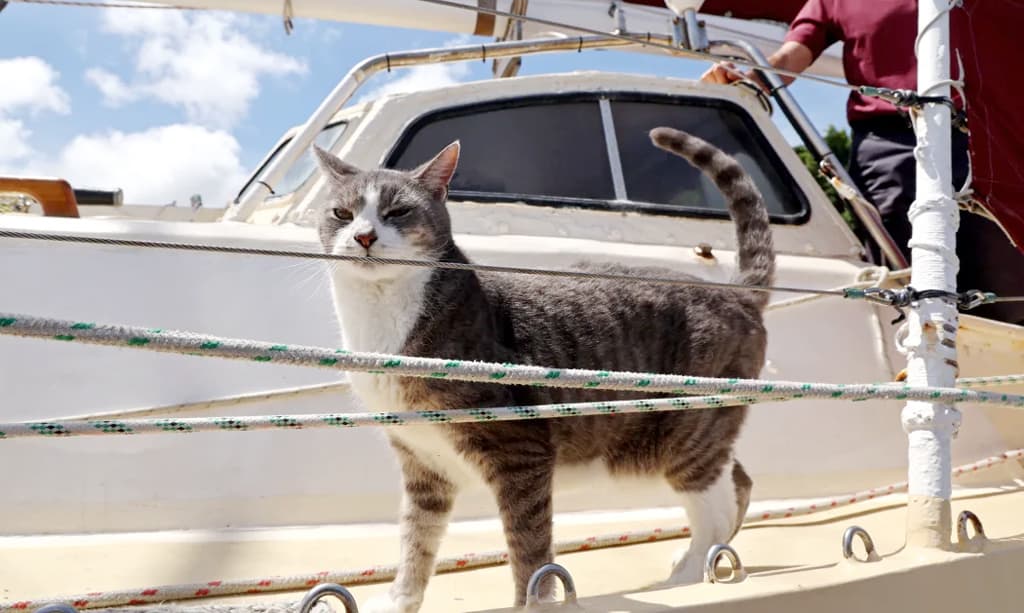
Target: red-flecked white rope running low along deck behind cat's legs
[[379, 575]]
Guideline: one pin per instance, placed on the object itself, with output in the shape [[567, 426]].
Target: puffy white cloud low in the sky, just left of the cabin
[[157, 166]]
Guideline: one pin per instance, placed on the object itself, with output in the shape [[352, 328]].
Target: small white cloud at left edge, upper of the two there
[[29, 84]]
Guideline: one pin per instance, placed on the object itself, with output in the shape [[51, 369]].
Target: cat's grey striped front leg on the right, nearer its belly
[[523, 485]]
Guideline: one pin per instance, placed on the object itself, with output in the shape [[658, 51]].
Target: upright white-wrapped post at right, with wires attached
[[932, 327]]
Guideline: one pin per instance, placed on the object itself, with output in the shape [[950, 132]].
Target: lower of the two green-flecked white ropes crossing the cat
[[69, 428]]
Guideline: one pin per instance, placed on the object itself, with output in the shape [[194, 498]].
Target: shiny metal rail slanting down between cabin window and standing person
[[868, 215]]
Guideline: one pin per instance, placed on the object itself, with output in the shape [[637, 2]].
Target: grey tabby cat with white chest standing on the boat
[[563, 323]]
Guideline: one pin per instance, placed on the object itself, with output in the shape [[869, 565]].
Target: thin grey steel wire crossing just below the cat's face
[[5, 234]]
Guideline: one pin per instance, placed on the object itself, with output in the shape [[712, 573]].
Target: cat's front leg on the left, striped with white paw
[[426, 506]]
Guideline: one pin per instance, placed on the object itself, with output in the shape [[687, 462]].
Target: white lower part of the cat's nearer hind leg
[[713, 516]]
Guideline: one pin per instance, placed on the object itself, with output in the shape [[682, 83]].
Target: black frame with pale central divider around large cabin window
[[603, 99]]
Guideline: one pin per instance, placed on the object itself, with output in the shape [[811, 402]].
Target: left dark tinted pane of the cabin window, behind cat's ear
[[548, 150]]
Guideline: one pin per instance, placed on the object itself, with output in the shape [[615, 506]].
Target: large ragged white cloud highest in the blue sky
[[205, 64]]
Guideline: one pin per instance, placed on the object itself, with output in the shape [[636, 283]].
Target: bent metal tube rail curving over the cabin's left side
[[259, 191]]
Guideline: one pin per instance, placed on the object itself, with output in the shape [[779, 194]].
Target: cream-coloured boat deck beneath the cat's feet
[[798, 558]]
